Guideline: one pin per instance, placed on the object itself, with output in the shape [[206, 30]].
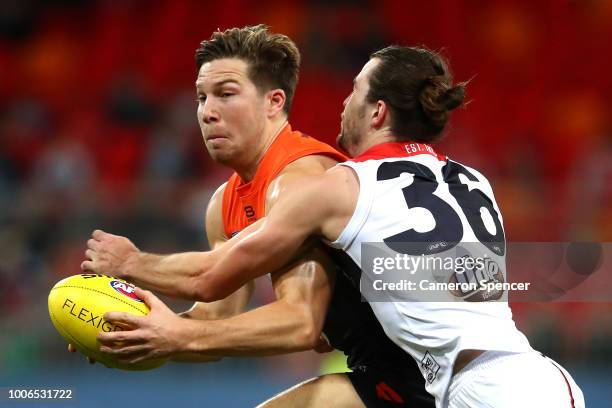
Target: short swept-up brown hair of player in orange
[[273, 59]]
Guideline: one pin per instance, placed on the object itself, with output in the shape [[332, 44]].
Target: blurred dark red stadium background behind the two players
[[98, 129]]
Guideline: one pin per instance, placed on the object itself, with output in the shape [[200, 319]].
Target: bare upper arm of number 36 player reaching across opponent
[[317, 207]]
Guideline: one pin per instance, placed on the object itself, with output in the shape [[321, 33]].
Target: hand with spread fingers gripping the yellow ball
[[156, 335]]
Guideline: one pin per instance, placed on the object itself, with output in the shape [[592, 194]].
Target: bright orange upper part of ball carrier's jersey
[[244, 203]]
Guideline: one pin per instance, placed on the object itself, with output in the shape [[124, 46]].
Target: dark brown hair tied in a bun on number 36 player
[[417, 85]]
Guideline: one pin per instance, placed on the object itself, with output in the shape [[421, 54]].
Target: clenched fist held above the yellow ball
[[108, 254]]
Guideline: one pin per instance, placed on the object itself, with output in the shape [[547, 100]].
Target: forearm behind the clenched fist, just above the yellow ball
[[172, 275]]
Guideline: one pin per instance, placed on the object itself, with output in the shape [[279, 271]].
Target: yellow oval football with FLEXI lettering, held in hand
[[77, 305]]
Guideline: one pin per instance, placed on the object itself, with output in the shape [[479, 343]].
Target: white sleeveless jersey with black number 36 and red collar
[[416, 202]]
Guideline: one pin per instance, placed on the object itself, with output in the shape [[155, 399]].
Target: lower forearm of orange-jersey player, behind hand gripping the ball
[[276, 328]]
